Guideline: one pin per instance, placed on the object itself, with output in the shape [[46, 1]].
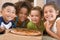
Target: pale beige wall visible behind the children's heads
[[36, 2]]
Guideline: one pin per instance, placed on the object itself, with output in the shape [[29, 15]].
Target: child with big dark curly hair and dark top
[[23, 9]]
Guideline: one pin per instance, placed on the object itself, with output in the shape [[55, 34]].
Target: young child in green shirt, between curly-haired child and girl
[[36, 22]]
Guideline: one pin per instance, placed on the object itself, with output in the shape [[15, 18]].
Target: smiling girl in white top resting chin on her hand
[[52, 23]]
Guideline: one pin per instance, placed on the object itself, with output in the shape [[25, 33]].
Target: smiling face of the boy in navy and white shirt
[[8, 13]]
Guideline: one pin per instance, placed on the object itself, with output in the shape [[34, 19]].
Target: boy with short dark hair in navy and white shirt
[[8, 14]]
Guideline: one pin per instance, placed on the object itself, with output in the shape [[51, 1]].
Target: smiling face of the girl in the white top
[[50, 13]]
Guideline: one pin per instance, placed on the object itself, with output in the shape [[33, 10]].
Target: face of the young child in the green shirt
[[35, 16]]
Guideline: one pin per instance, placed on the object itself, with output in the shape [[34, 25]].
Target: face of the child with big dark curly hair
[[22, 14]]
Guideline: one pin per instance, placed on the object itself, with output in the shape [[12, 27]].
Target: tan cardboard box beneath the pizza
[[10, 36]]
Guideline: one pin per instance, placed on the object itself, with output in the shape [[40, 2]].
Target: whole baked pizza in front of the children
[[25, 32]]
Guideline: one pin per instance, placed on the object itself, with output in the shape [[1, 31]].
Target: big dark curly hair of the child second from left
[[24, 4]]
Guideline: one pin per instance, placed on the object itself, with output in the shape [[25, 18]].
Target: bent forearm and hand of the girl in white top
[[48, 26]]
